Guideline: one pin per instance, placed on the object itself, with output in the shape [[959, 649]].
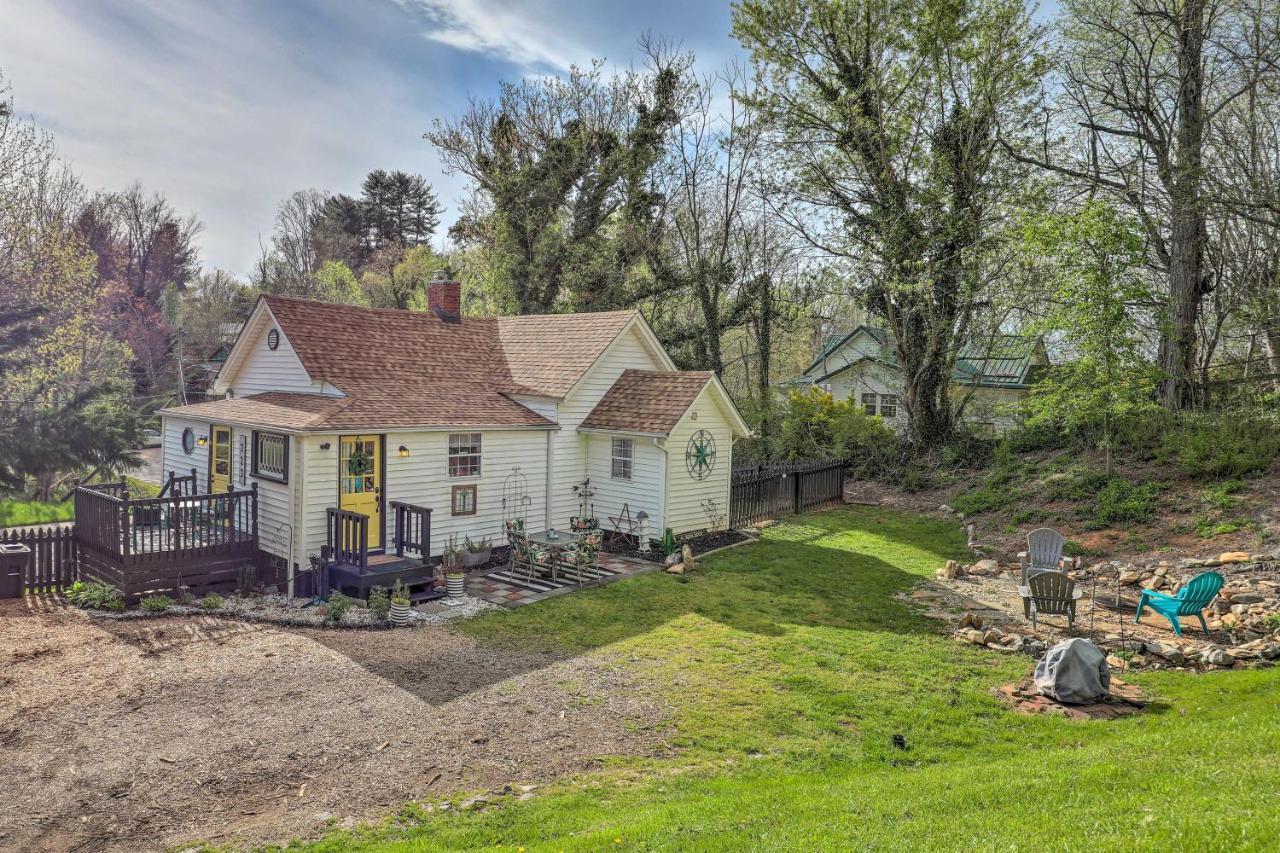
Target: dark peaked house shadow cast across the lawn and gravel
[[838, 569]]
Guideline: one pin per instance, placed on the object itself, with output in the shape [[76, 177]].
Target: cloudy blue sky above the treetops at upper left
[[228, 107]]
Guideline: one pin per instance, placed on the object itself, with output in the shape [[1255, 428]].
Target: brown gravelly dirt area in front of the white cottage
[[130, 737]]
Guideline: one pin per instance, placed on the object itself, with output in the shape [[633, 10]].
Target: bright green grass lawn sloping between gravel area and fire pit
[[790, 667]]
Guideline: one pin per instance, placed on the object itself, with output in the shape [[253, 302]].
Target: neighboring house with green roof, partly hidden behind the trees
[[990, 375]]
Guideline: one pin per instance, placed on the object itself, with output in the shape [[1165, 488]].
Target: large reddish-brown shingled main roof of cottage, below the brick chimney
[[414, 370]]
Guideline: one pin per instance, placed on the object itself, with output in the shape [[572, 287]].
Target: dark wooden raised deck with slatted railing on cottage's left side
[[164, 544]]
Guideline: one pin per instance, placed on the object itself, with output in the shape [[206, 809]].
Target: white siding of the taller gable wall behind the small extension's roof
[[569, 467]]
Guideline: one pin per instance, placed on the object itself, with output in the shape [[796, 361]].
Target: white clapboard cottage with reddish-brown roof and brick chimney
[[481, 419]]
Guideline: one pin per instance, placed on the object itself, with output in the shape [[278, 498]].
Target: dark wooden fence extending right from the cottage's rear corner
[[769, 491]]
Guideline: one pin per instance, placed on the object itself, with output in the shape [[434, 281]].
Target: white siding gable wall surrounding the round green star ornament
[[685, 496]]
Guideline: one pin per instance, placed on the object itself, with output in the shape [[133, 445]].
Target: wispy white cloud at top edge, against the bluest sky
[[520, 33]]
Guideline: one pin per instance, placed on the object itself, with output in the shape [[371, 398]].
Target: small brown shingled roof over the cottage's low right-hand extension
[[648, 402]]
